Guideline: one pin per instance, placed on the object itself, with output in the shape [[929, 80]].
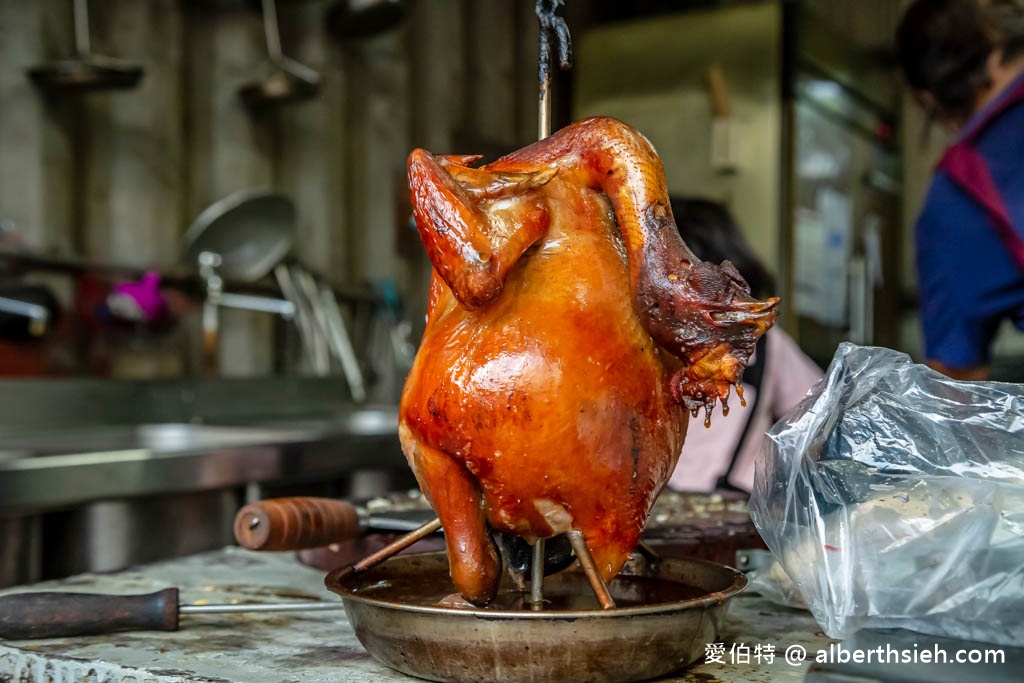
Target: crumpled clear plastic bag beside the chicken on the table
[[893, 497]]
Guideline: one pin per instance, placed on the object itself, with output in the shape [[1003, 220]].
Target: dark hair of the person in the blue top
[[944, 48]]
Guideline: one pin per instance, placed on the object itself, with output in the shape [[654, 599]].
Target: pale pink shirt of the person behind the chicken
[[708, 452]]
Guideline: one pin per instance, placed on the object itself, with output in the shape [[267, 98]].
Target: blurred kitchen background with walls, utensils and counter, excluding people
[[210, 286]]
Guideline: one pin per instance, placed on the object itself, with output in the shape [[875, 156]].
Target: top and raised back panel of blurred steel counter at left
[[65, 443]]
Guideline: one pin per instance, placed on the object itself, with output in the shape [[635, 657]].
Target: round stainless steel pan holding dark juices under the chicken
[[668, 612]]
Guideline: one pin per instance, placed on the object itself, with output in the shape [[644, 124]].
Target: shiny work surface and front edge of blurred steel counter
[[55, 468]]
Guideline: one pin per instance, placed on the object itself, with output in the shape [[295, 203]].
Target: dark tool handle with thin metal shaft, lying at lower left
[[28, 616]]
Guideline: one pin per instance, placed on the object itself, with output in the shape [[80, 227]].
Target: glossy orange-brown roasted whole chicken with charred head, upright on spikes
[[570, 335]]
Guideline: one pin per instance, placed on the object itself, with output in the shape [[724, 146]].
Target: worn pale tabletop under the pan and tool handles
[[305, 647]]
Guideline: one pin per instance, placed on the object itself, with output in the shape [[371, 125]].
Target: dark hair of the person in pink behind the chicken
[[712, 234]]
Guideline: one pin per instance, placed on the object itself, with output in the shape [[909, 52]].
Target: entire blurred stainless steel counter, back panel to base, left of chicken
[[100, 476]]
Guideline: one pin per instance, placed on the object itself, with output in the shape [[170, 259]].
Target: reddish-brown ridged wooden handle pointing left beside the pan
[[296, 524]]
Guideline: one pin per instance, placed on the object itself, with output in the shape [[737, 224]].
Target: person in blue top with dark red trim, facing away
[[965, 62]]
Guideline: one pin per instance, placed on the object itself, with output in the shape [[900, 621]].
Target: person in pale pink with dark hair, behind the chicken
[[722, 457]]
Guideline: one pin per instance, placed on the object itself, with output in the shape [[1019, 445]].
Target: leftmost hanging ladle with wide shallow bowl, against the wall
[[87, 71]]
